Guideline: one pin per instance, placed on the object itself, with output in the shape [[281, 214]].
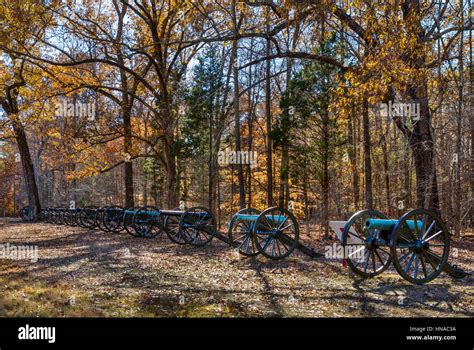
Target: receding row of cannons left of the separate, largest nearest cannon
[[274, 233]]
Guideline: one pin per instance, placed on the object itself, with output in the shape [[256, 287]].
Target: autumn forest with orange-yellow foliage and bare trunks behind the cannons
[[326, 106]]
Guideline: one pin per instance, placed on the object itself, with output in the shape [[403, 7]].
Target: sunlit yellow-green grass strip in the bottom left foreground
[[21, 298]]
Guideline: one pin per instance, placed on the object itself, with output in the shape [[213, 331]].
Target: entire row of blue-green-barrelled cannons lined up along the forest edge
[[417, 244]]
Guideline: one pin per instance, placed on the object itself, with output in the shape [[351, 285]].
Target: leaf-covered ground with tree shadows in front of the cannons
[[91, 273]]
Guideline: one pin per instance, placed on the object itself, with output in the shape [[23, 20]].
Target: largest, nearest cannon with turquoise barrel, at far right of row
[[417, 244]]
